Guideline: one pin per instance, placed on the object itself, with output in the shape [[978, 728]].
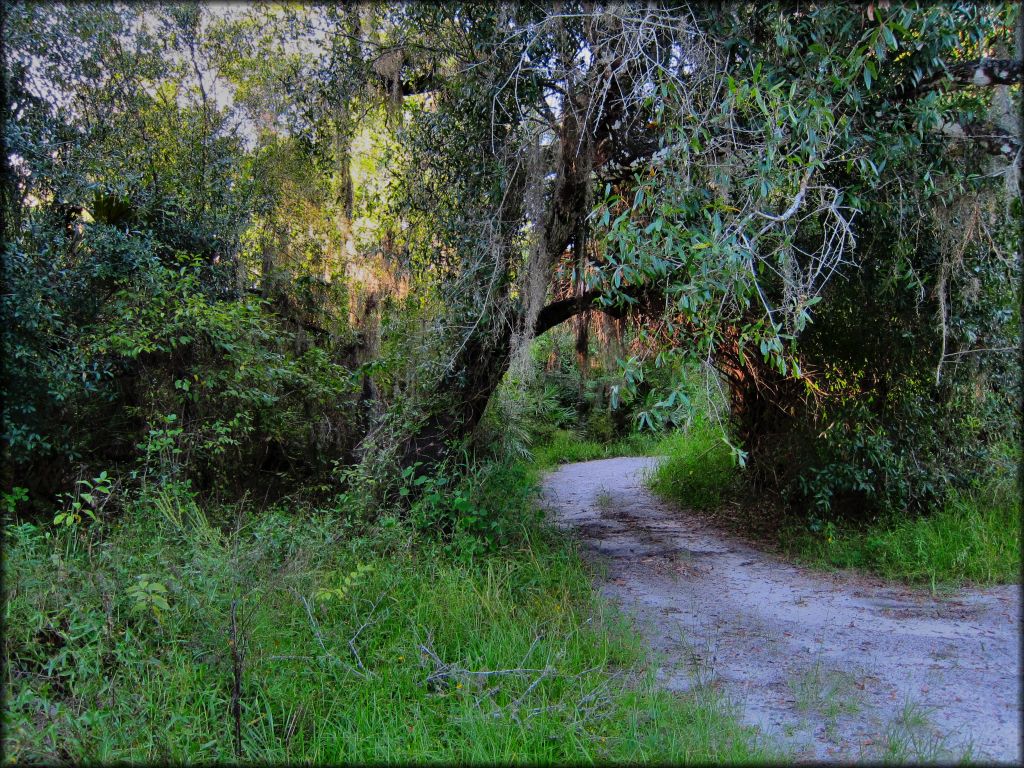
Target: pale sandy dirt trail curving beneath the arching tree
[[832, 667]]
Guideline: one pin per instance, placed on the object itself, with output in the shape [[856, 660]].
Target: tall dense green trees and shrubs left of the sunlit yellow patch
[[134, 335]]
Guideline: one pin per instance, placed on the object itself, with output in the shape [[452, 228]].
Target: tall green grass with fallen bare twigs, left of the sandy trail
[[360, 644]]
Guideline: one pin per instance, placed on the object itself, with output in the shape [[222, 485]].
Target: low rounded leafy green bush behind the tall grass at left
[[185, 383]]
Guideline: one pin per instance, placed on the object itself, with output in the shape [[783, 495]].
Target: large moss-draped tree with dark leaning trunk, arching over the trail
[[722, 172]]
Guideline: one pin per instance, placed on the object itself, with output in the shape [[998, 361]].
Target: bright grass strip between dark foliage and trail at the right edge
[[976, 538]]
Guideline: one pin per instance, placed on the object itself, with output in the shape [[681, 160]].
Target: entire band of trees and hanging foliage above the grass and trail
[[250, 239]]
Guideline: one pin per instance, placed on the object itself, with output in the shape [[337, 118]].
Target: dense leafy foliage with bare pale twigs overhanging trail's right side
[[905, 377]]
